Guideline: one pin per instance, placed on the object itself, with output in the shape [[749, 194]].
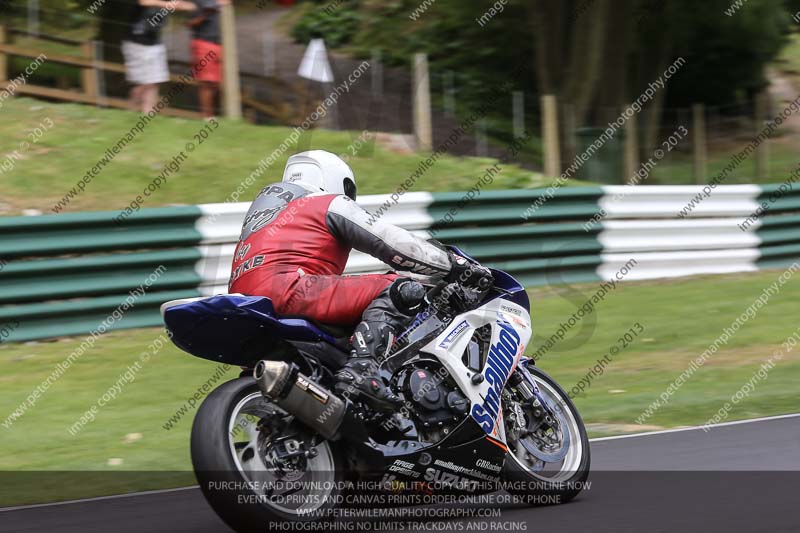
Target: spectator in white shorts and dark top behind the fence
[[144, 51]]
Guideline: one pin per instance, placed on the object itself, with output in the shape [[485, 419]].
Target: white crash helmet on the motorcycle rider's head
[[322, 171]]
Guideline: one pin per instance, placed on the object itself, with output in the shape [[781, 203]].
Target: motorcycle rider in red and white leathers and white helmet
[[295, 241]]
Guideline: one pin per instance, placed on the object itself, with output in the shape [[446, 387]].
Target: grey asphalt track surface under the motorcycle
[[736, 477]]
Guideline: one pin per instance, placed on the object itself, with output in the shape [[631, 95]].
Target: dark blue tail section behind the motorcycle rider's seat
[[234, 329]]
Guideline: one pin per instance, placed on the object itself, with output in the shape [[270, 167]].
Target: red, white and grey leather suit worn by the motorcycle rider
[[295, 244]]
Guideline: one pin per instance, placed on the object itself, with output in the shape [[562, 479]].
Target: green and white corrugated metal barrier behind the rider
[[67, 274]]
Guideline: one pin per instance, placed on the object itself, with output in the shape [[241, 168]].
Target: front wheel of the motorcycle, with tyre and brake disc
[[548, 459]]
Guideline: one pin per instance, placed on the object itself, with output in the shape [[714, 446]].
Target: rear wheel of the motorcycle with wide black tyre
[[257, 466]]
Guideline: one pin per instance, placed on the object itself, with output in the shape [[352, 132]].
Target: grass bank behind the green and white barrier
[[80, 135]]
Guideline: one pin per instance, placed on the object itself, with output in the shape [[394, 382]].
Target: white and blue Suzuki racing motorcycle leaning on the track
[[278, 445]]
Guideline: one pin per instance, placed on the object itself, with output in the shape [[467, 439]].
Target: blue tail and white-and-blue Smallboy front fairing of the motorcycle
[[237, 329]]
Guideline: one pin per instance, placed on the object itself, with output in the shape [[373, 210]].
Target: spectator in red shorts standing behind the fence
[[207, 52]]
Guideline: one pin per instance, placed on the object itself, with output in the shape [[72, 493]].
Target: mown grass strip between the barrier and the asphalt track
[[680, 319]]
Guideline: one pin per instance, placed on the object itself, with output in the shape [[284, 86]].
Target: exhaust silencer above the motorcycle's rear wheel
[[313, 405]]
